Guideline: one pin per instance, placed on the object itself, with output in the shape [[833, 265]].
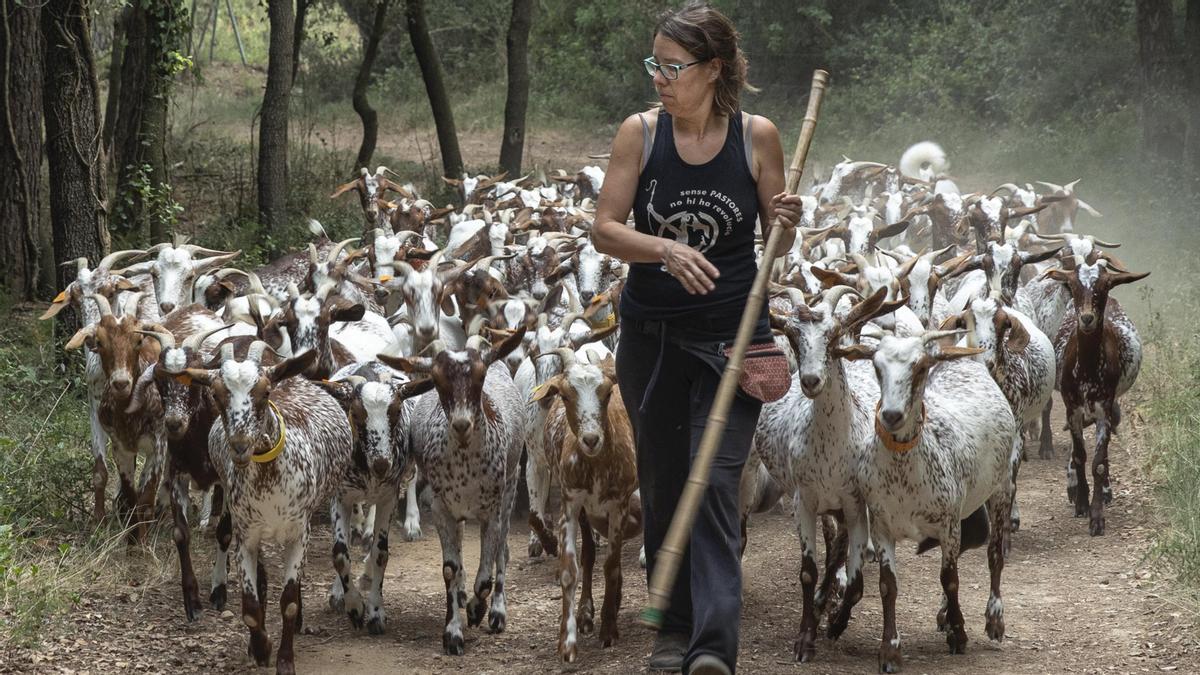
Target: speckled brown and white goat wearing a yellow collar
[[281, 450]]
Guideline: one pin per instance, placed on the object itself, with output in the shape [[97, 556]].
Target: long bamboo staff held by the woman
[[667, 565]]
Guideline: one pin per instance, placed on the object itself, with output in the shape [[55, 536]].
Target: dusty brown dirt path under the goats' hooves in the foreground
[[1073, 604]]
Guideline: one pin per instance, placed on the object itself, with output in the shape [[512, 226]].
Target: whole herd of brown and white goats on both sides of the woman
[[428, 362]]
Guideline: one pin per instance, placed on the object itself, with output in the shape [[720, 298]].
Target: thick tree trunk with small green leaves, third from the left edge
[[143, 188]]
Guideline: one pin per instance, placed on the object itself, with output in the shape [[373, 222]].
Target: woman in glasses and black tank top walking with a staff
[[698, 172]]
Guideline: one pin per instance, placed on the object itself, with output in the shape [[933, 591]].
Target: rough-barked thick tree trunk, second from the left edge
[[71, 104]]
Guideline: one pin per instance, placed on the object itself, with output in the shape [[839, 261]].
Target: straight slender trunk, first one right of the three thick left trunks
[[273, 132]]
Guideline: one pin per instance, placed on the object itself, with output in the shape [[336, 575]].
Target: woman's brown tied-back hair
[[707, 34]]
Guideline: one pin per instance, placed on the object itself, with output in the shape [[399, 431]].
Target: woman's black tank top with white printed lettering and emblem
[[712, 208]]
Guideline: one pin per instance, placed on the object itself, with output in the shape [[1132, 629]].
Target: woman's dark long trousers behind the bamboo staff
[[669, 421]]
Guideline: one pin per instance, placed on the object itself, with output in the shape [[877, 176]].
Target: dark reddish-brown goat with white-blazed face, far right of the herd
[[1100, 357]]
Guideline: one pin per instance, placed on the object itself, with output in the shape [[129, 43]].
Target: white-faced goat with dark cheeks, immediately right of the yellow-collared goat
[[380, 416]]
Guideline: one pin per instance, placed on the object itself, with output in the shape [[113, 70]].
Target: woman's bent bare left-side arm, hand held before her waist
[[613, 237]]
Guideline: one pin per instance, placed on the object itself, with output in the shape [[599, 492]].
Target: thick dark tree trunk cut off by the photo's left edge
[[21, 152]]
